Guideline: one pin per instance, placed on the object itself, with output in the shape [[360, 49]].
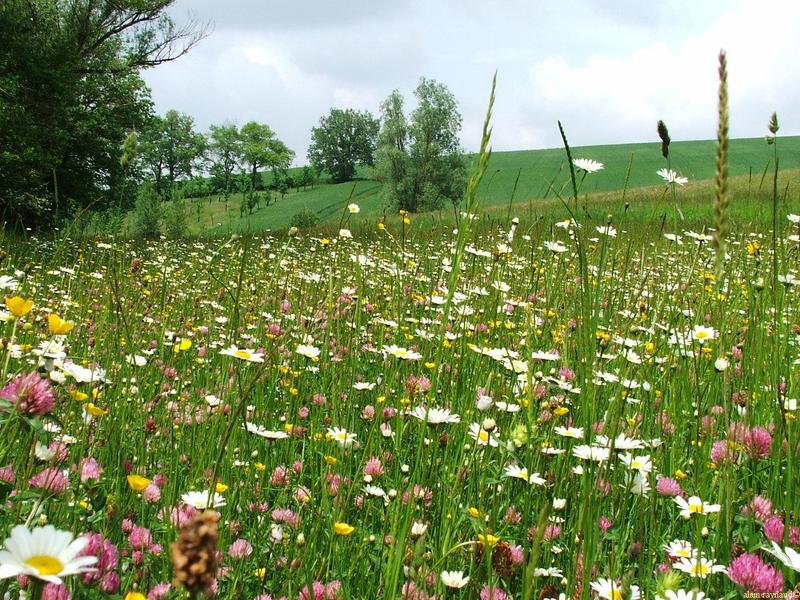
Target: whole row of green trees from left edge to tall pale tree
[[78, 131]]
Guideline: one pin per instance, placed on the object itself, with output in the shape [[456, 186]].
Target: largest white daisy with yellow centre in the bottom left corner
[[45, 553]]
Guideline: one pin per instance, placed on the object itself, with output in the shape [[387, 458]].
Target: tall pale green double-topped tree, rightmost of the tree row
[[419, 160]]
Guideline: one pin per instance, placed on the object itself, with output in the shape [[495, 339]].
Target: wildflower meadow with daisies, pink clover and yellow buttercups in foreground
[[592, 406]]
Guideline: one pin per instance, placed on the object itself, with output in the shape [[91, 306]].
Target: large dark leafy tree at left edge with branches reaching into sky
[[70, 92]]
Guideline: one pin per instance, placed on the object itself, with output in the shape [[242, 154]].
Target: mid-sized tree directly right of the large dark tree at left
[[171, 148]]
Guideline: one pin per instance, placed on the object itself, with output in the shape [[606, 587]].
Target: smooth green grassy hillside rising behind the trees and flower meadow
[[542, 174]]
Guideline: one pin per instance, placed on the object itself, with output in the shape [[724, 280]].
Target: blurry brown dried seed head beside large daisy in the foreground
[[194, 553]]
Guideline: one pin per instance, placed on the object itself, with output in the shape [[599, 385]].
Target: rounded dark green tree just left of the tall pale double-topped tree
[[342, 140]]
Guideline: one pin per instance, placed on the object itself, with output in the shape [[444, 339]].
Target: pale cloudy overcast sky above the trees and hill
[[609, 69]]
